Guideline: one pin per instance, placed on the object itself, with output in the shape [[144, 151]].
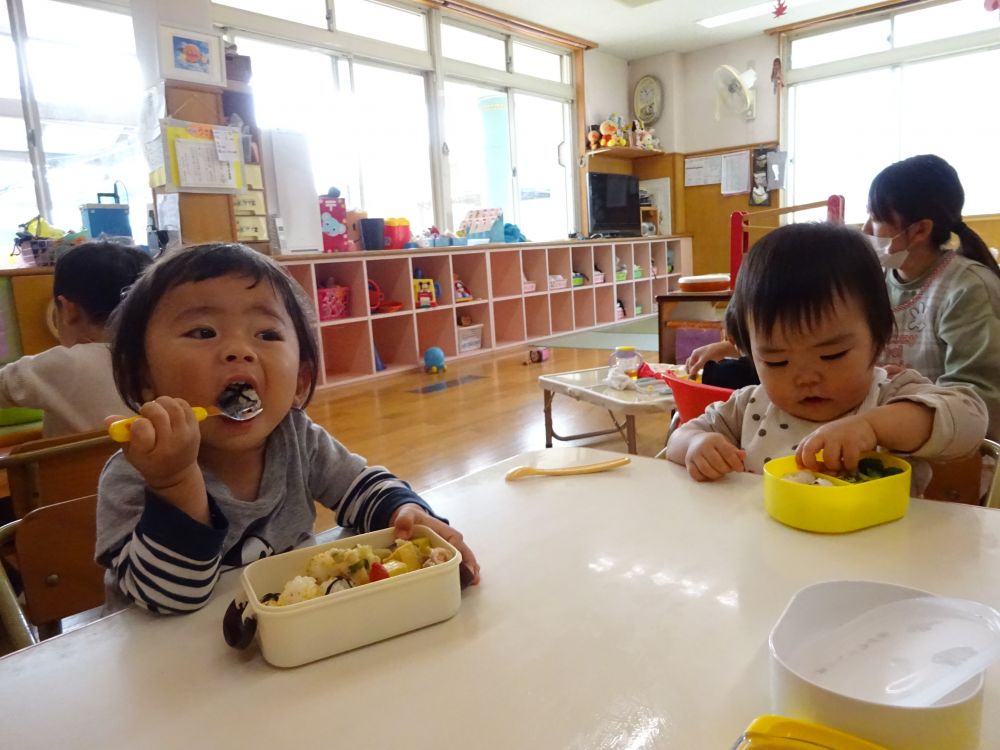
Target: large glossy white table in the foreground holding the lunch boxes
[[629, 609]]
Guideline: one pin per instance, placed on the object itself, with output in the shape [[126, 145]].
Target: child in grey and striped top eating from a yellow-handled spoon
[[184, 500]]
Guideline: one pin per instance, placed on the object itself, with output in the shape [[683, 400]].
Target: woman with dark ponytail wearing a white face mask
[[946, 301]]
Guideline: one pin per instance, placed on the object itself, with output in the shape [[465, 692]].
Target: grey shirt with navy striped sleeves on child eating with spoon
[[164, 560]]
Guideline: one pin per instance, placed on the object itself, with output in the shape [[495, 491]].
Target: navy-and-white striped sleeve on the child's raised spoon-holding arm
[[170, 563]]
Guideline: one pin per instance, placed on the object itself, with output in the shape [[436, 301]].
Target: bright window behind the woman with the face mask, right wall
[[855, 107]]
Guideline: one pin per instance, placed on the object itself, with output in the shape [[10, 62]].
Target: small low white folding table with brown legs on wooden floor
[[589, 386]]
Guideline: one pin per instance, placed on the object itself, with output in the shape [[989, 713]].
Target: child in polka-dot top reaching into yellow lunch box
[[811, 308]]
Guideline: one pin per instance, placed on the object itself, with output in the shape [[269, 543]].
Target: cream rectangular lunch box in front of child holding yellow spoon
[[299, 633]]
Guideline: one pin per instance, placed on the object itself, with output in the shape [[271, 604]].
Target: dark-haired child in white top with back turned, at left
[[72, 382]]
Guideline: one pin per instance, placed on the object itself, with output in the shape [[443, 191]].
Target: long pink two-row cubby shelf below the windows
[[365, 344]]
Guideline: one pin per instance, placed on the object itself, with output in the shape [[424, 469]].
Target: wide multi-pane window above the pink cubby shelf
[[366, 109]]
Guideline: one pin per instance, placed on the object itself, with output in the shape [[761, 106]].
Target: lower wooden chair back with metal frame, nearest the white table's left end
[[54, 548]]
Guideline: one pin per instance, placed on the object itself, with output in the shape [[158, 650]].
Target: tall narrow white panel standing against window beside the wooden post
[[291, 194]]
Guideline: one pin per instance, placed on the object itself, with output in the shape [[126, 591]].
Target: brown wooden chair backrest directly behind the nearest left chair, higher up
[[43, 472]]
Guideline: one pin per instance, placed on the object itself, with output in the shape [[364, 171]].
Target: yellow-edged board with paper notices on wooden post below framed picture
[[196, 157]]
